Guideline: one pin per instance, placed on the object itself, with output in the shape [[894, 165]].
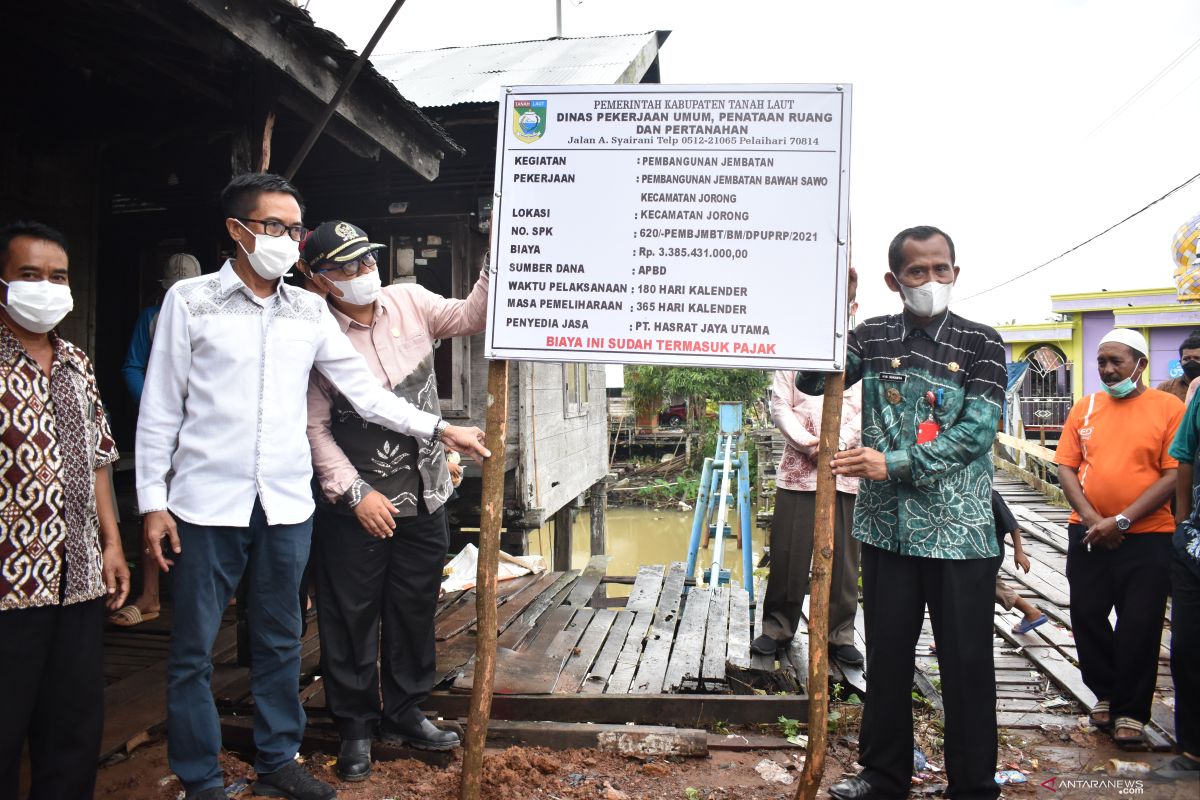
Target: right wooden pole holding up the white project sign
[[819, 590]]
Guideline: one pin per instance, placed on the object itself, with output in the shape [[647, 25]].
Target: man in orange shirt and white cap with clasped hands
[[1119, 476]]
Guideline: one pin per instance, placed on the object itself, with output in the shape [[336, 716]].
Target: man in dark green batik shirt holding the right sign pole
[[933, 387]]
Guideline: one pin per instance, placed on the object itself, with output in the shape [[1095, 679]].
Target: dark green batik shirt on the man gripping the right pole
[[937, 502]]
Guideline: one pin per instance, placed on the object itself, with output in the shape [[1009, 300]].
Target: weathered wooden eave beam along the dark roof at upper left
[[304, 69]]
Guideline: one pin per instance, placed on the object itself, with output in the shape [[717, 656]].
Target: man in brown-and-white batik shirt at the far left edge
[[61, 552]]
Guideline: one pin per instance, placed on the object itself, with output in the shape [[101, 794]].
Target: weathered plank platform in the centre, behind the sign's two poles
[[557, 651]]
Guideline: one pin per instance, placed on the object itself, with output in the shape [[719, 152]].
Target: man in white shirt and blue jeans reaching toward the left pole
[[224, 477]]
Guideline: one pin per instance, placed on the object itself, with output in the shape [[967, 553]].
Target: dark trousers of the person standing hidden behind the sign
[[791, 557]]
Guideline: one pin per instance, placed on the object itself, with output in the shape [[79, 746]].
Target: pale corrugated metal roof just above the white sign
[[477, 75]]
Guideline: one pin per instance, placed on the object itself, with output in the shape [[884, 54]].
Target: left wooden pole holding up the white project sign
[[491, 520]]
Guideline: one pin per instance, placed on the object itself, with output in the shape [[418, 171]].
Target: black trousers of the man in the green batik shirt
[[961, 596]]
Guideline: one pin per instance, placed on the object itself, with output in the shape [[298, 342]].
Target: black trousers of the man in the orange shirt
[[1120, 665]]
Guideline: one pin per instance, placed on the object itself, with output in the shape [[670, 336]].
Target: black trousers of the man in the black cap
[[362, 582]]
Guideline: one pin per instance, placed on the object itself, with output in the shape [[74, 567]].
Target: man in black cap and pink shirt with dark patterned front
[[381, 534]]
